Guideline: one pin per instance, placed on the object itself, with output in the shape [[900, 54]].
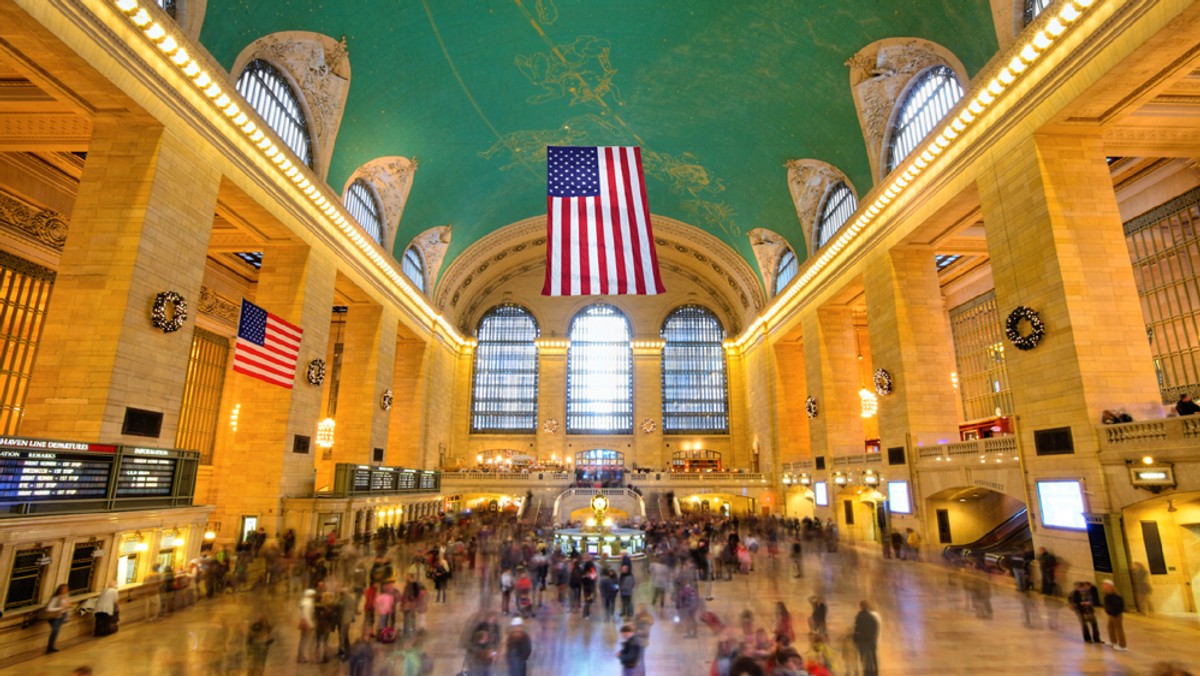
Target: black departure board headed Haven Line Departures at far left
[[31, 476]]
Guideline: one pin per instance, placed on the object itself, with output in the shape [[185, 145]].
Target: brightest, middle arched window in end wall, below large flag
[[601, 374]]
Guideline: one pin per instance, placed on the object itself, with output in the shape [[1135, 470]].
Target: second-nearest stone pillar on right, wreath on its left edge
[[909, 332]]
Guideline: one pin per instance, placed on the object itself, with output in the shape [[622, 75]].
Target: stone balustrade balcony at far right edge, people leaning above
[[1167, 440]]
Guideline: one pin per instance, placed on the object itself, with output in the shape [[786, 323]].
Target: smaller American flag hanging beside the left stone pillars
[[267, 348]]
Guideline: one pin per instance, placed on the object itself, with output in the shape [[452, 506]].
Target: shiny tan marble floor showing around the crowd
[[927, 629]]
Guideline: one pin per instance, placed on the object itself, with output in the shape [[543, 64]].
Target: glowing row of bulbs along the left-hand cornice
[[206, 85]]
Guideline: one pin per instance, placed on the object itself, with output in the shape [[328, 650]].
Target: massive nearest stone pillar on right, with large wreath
[[1058, 247]]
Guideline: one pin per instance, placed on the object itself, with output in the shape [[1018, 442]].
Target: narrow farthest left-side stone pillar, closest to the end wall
[[405, 423]]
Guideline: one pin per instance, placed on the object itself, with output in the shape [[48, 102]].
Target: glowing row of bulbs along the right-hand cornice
[[985, 98]]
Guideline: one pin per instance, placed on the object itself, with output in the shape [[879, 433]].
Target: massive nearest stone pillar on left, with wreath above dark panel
[[141, 226]]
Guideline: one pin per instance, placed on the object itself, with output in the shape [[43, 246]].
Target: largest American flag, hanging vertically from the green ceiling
[[599, 240]]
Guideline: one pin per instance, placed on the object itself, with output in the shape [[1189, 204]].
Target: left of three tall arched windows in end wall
[[505, 396]]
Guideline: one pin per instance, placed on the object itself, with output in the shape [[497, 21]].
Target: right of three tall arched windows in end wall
[[695, 393]]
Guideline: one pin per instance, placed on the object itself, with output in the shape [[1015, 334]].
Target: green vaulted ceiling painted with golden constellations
[[719, 94]]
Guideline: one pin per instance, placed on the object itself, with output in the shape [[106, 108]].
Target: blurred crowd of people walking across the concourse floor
[[365, 602]]
